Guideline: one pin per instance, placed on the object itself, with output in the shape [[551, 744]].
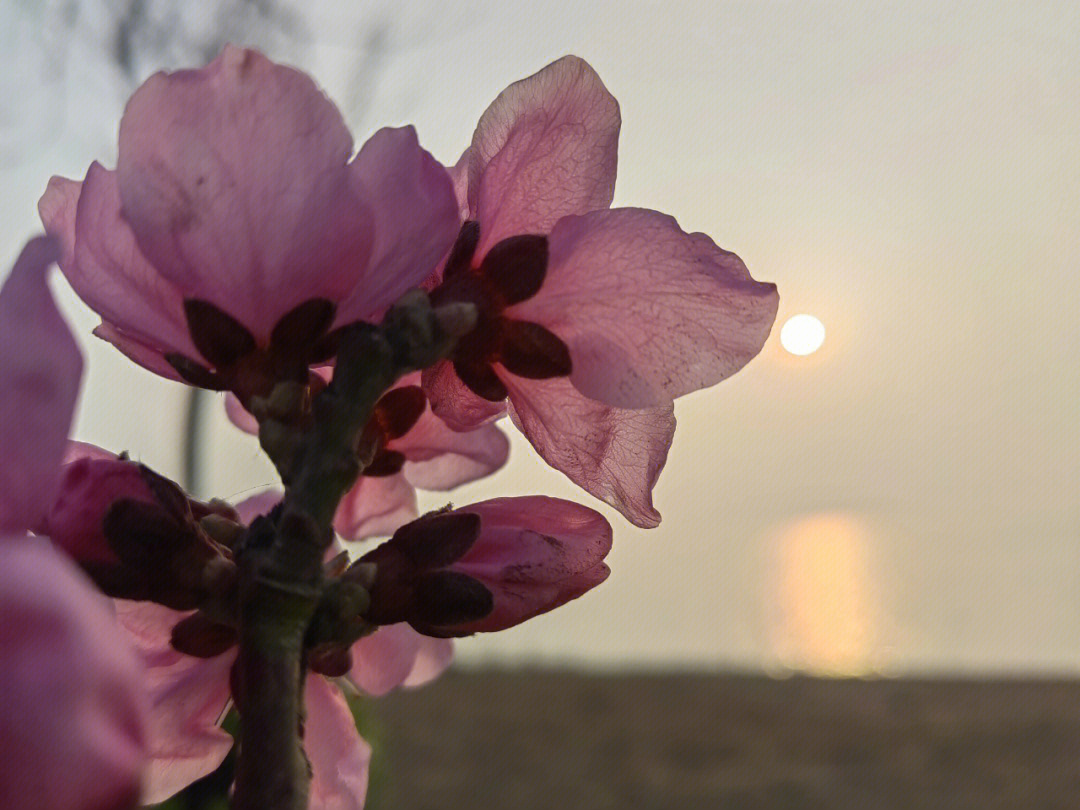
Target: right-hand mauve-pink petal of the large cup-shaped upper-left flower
[[416, 220]]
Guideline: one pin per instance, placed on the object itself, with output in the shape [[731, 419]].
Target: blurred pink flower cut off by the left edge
[[73, 719]]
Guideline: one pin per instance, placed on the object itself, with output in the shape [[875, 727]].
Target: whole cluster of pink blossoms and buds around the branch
[[239, 246]]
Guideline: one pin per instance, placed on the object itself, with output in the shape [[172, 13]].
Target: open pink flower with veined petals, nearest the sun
[[592, 320]]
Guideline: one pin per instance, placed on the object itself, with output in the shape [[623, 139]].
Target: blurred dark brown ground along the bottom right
[[553, 741]]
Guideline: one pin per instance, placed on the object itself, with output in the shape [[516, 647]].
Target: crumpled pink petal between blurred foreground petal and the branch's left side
[[190, 697]]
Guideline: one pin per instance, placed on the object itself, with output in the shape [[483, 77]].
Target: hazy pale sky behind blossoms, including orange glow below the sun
[[904, 499]]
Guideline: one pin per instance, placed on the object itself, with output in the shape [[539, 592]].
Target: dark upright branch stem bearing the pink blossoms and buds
[[281, 563]]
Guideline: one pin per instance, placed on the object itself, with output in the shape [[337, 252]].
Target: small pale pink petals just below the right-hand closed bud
[[398, 656]]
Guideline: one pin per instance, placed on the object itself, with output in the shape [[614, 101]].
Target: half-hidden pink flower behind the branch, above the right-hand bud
[[417, 450]]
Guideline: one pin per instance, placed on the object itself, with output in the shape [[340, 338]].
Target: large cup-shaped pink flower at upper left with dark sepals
[[236, 233]]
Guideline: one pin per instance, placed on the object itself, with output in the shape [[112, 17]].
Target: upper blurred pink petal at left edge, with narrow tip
[[40, 369]]
